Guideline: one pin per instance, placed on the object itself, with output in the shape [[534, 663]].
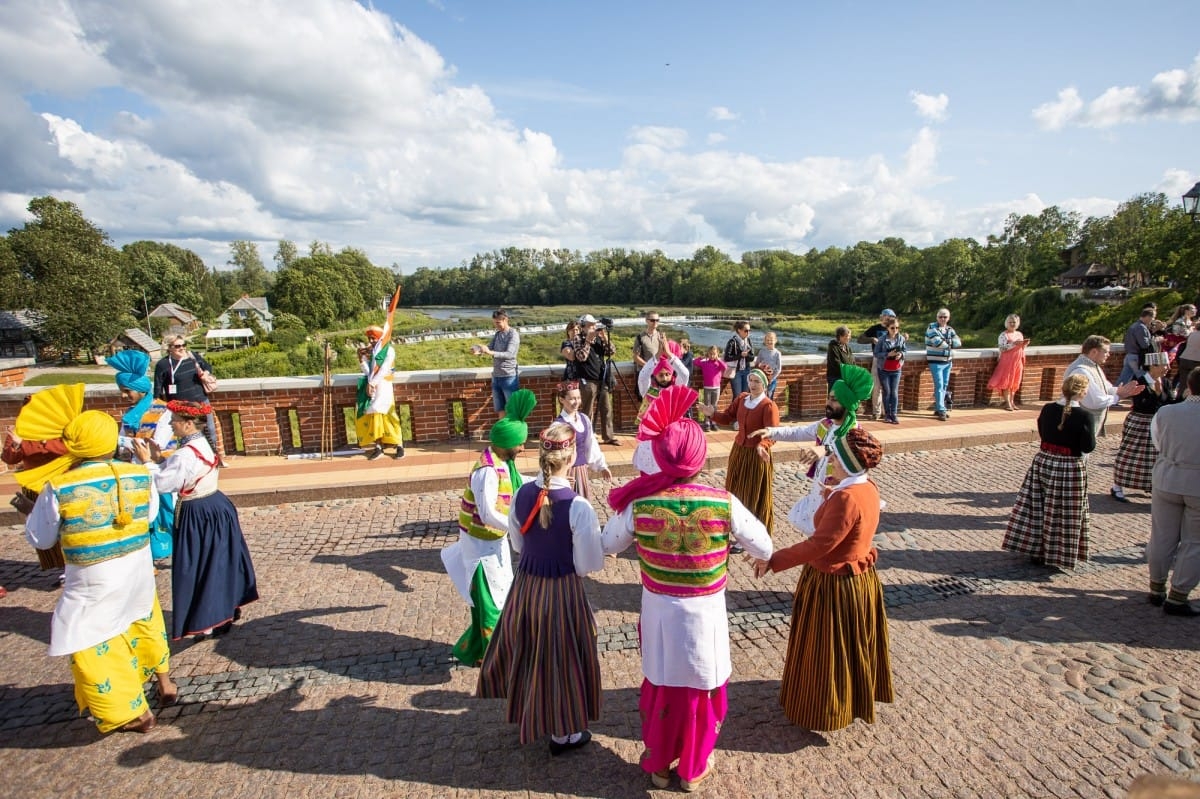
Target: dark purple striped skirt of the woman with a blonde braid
[[543, 658]]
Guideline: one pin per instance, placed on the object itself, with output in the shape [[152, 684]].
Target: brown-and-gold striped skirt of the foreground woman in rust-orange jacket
[[838, 662]]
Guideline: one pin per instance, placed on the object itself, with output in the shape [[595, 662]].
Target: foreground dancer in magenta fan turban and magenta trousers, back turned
[[683, 532]]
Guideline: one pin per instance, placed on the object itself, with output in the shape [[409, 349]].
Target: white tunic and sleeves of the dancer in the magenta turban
[[686, 642]]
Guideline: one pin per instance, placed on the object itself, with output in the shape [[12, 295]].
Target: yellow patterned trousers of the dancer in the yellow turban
[[110, 677]]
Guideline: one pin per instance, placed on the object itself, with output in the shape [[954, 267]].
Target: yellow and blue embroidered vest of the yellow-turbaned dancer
[[88, 504]]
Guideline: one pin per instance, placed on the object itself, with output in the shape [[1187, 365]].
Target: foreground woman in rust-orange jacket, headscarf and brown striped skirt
[[838, 662]]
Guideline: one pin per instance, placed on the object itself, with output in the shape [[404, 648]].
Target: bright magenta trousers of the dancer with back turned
[[681, 724]]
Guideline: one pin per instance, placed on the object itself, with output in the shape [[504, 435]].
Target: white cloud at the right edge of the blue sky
[[1172, 95]]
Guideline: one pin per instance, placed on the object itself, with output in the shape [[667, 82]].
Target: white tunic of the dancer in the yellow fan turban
[[98, 602]]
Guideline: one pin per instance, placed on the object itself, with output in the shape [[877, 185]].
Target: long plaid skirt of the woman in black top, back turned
[[1051, 518]]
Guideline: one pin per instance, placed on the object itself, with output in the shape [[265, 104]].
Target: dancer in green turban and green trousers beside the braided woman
[[479, 562]]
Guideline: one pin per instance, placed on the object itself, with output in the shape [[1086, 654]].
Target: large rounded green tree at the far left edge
[[81, 295]]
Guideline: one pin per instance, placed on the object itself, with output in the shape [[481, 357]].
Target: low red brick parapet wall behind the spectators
[[256, 414]]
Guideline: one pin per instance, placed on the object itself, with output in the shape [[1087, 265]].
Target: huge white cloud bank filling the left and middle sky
[[239, 125]]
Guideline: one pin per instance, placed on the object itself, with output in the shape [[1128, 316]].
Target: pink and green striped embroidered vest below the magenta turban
[[683, 540]]
